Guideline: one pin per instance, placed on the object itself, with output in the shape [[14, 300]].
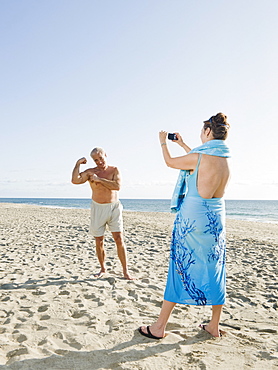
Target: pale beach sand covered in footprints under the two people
[[55, 315]]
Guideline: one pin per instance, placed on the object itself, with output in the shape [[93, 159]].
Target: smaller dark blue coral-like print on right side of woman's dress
[[215, 228]]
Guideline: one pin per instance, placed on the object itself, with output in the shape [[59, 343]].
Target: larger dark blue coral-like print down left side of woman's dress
[[184, 258]]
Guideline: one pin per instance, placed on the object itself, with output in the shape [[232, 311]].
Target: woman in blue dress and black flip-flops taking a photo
[[197, 273]]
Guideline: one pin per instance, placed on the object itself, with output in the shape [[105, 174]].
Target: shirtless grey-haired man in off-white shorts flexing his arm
[[106, 209]]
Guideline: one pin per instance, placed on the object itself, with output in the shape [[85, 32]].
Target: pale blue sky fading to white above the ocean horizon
[[76, 74]]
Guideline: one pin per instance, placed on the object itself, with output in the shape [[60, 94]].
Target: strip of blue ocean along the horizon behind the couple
[[251, 210]]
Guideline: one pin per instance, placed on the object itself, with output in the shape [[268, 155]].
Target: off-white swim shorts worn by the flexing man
[[109, 214]]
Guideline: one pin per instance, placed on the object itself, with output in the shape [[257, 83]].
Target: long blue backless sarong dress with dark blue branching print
[[197, 274]]
